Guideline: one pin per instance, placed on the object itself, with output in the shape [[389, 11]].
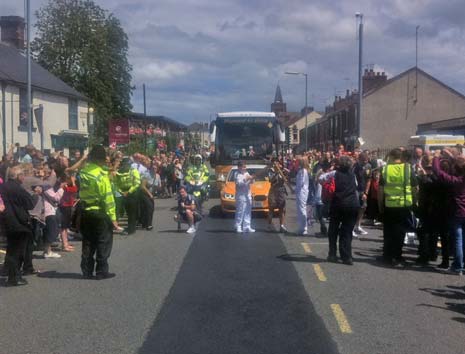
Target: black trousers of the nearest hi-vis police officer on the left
[[97, 238]]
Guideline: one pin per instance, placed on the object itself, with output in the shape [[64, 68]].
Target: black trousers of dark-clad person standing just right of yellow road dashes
[[341, 223]]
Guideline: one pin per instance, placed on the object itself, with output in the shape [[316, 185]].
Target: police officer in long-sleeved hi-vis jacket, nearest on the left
[[98, 215]]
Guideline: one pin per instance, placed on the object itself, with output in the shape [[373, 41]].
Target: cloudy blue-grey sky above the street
[[199, 57]]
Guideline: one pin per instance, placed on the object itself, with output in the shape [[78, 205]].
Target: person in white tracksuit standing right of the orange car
[[301, 195]]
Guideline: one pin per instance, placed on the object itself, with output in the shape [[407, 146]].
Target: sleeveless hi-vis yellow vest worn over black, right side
[[397, 186]]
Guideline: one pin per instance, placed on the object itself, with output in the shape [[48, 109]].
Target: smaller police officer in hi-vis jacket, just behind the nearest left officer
[[128, 184]]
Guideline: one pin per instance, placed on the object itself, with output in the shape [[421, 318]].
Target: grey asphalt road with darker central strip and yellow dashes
[[220, 292]]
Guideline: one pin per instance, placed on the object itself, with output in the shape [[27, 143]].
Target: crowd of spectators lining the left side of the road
[[50, 209]]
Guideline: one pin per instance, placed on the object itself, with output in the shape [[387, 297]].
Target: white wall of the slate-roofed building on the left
[[55, 117]]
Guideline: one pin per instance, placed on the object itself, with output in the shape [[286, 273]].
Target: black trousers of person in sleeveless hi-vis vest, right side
[[395, 225]]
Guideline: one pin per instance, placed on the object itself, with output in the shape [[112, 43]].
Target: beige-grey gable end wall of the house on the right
[[391, 114]]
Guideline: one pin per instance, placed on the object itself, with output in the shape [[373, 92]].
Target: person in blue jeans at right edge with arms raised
[[457, 184]]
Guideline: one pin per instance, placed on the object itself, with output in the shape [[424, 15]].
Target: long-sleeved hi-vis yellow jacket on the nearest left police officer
[[95, 190]]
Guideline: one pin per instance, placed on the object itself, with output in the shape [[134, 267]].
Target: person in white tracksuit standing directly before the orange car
[[243, 199]]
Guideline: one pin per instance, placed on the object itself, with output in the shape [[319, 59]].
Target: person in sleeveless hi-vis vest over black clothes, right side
[[396, 195]]
